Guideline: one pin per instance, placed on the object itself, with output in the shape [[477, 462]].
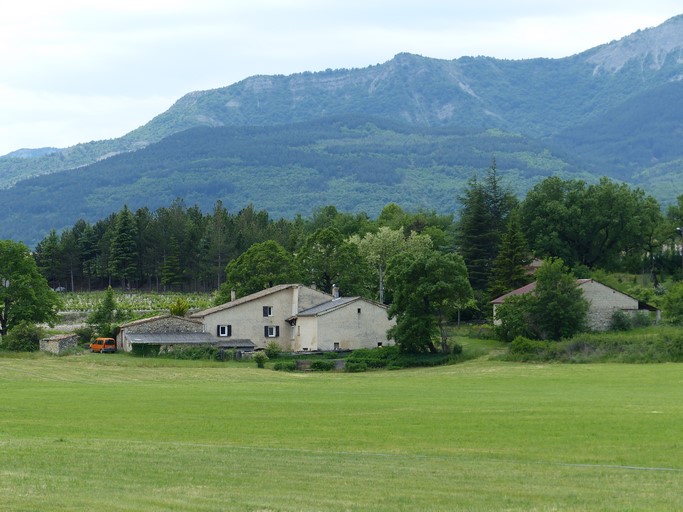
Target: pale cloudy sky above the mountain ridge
[[78, 70]]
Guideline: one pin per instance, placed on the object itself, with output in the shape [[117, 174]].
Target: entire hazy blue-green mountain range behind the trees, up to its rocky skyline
[[411, 130]]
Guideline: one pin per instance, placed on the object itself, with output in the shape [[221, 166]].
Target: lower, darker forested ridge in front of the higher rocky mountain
[[356, 163]]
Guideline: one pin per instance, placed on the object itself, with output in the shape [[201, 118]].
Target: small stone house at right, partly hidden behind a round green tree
[[603, 302]]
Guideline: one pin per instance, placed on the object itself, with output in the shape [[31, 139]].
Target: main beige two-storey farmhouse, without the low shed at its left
[[298, 318]]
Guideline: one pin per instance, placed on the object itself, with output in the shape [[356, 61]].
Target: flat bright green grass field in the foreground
[[115, 433]]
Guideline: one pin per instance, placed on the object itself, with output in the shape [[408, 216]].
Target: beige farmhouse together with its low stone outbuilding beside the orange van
[[296, 317]]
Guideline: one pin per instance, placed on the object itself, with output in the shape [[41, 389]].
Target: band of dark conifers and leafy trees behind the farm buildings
[[602, 226]]
